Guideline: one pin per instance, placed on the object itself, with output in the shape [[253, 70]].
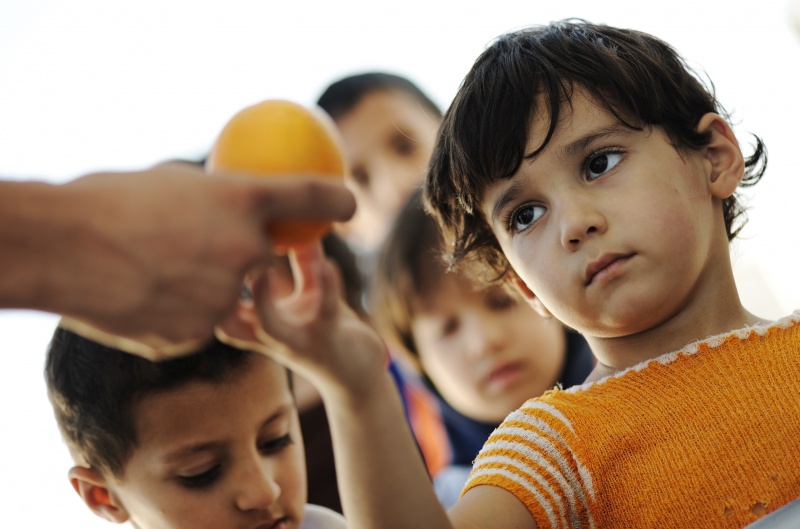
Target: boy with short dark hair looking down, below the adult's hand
[[207, 440]]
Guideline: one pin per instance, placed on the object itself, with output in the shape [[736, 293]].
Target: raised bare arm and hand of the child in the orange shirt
[[382, 478]]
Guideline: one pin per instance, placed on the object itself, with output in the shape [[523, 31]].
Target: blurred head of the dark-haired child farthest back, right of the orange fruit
[[389, 128]]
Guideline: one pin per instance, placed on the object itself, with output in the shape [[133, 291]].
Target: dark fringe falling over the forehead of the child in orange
[[520, 79]]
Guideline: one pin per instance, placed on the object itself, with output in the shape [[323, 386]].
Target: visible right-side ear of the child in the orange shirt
[[723, 154]]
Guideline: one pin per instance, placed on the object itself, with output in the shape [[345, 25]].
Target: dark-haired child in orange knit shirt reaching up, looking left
[[588, 167]]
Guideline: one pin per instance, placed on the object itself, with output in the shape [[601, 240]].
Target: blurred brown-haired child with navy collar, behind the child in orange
[[481, 351]]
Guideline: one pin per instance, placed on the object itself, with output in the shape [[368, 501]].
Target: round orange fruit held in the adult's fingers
[[279, 138]]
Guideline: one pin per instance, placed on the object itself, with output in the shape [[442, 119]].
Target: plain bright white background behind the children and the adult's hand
[[107, 84]]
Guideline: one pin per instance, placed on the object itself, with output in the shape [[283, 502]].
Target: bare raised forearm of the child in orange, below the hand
[[382, 478]]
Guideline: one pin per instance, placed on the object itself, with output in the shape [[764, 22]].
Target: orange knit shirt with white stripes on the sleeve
[[708, 436]]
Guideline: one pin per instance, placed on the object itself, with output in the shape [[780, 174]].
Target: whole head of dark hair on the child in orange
[[642, 81]]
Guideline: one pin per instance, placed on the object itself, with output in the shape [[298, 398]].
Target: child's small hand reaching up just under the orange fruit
[[299, 318]]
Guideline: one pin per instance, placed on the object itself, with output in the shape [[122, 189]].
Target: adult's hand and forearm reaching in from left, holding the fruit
[[149, 261]]
